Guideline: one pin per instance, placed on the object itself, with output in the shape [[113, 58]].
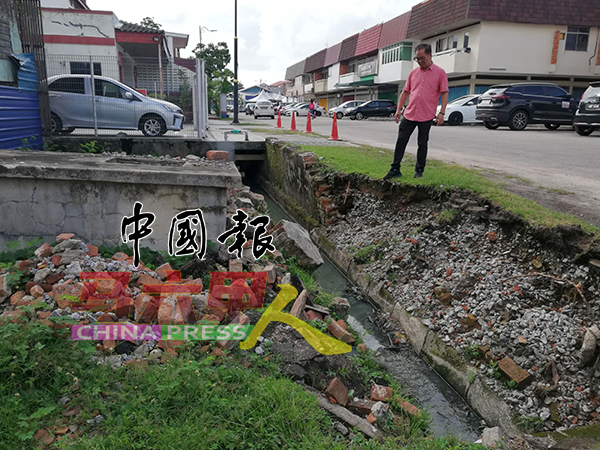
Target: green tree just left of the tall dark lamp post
[[220, 79]]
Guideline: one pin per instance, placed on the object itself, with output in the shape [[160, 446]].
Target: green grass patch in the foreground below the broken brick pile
[[193, 401]]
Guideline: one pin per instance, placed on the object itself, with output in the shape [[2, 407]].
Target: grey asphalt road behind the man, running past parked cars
[[559, 159]]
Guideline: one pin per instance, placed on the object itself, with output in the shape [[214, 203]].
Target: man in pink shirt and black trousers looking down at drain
[[425, 84]]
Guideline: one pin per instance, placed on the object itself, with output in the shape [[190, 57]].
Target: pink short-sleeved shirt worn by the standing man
[[425, 87]]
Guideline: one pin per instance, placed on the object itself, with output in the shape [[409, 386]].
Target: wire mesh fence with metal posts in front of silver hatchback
[[126, 96]]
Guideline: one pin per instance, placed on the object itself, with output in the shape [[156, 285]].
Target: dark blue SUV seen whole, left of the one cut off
[[520, 104]]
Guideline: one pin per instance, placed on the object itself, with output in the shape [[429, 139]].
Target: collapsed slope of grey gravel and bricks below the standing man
[[526, 315]]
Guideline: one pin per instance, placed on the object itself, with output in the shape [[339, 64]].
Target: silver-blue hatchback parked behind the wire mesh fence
[[117, 107]]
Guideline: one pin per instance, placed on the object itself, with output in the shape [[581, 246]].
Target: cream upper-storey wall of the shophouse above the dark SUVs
[[527, 49]]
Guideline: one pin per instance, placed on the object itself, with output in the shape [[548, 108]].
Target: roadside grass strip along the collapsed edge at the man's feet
[[375, 163]]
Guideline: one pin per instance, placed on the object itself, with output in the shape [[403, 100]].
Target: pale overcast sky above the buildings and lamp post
[[272, 34]]
